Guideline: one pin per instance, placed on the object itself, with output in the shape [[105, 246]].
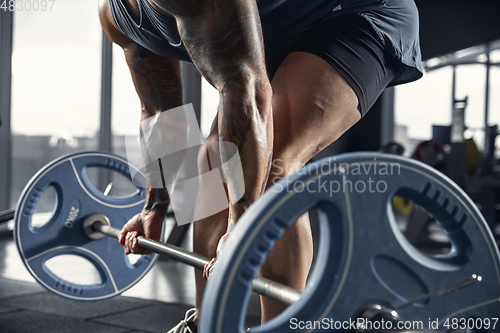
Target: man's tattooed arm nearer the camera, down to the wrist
[[224, 40]]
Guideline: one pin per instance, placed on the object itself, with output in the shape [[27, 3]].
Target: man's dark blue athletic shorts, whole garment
[[373, 44]]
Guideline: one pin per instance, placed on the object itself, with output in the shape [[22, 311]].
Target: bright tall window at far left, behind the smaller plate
[[56, 69]]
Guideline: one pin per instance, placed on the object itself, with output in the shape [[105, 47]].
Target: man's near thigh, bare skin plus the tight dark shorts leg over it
[[329, 80]]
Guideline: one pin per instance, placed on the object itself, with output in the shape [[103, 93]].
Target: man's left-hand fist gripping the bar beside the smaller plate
[[145, 223]]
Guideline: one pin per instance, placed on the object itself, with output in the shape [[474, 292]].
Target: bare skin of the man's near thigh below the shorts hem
[[313, 105]]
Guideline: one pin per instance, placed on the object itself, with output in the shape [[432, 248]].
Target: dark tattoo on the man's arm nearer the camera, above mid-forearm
[[229, 53]]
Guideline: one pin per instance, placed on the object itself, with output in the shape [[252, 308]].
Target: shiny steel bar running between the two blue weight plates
[[260, 285]]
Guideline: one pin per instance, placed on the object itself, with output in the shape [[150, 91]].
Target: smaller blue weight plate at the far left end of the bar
[[76, 199]]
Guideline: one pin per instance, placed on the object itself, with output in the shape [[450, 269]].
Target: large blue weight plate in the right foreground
[[363, 257]]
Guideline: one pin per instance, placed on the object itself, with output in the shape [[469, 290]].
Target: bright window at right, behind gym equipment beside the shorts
[[429, 101]]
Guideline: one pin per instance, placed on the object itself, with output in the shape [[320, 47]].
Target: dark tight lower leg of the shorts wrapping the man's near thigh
[[351, 46]]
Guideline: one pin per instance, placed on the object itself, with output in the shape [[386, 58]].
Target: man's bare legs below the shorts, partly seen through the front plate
[[312, 106]]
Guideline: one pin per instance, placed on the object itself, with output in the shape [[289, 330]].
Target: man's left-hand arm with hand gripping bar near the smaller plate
[[157, 81]]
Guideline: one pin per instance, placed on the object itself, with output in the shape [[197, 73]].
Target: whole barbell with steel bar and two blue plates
[[365, 267]]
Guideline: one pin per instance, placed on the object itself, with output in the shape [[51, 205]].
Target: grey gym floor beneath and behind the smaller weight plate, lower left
[[155, 304]]
